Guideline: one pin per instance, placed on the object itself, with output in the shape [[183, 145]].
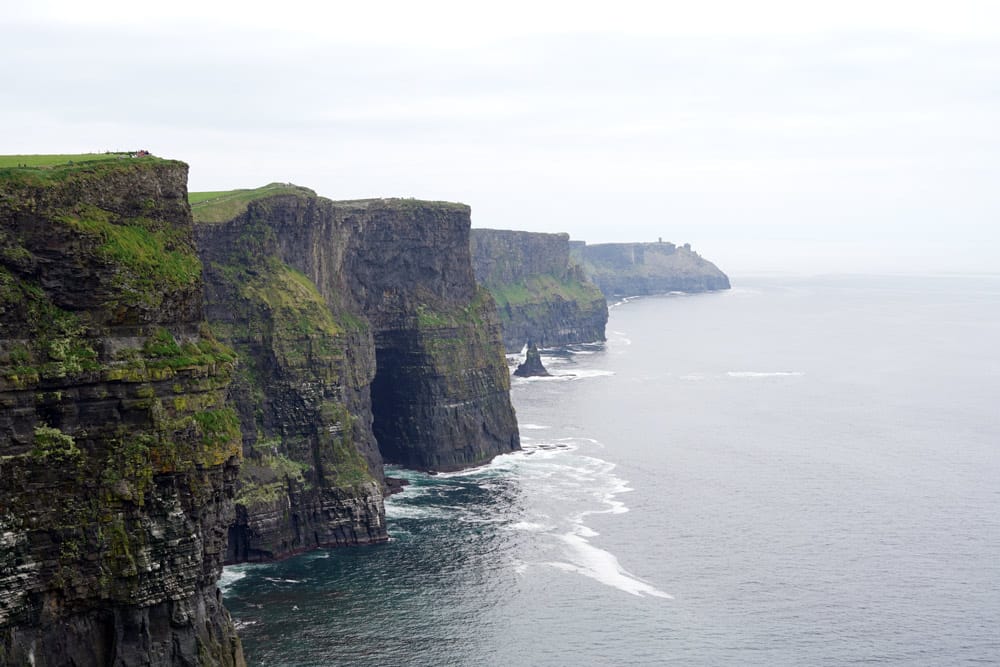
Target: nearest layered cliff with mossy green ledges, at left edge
[[118, 455]]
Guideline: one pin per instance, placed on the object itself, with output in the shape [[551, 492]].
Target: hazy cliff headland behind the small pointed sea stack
[[541, 294]]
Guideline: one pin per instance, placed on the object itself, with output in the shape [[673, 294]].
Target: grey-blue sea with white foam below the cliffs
[[793, 472]]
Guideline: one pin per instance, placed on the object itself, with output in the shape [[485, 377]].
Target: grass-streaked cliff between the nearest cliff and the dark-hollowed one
[[274, 289]]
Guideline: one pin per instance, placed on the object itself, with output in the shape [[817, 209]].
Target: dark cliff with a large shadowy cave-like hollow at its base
[[441, 394]]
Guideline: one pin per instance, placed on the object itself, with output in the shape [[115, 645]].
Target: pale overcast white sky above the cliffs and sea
[[774, 136]]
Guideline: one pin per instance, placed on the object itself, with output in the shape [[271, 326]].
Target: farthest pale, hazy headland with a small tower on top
[[631, 269]]
